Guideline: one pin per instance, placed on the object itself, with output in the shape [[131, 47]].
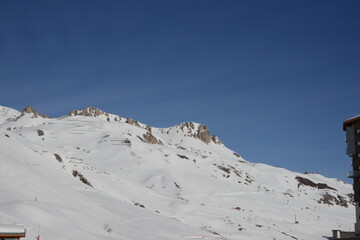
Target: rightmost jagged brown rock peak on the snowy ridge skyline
[[199, 131]]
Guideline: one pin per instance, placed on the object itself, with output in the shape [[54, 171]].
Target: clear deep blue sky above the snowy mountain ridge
[[273, 79]]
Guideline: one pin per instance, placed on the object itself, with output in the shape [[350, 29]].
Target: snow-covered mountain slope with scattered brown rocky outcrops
[[93, 175]]
